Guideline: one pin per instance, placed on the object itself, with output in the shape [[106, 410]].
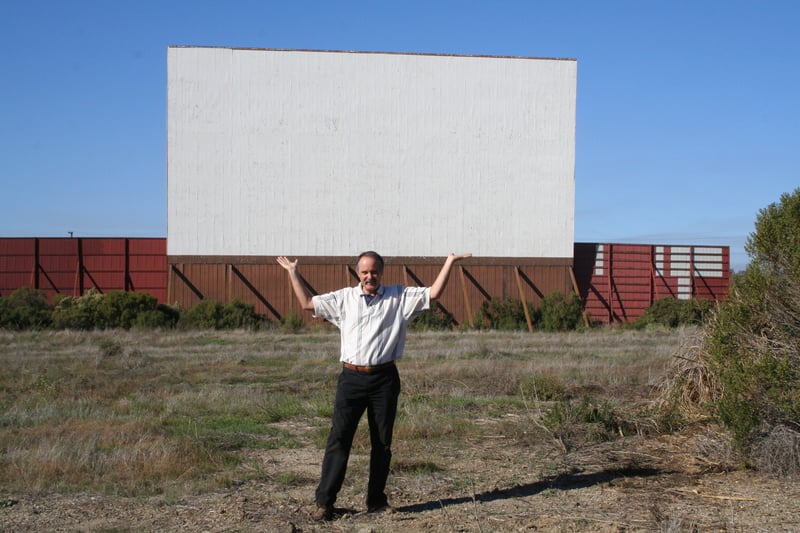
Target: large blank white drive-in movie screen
[[325, 153]]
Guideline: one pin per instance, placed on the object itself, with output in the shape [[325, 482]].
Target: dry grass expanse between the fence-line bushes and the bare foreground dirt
[[148, 412]]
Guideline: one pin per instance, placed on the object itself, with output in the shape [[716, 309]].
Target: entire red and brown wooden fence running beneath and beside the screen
[[616, 282]]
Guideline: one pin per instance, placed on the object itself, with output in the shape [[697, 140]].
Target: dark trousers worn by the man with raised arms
[[376, 393]]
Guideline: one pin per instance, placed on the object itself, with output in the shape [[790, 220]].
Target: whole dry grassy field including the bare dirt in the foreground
[[497, 431]]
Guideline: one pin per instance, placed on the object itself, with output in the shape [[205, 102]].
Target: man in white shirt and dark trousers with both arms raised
[[373, 320]]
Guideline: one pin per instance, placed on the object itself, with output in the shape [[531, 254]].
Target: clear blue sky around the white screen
[[688, 113]]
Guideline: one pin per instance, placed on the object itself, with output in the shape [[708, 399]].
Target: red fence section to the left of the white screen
[[73, 266]]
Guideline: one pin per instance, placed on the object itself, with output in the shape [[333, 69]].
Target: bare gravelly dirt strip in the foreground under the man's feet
[[634, 483]]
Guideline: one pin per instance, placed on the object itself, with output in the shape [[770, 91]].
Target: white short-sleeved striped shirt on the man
[[372, 333]]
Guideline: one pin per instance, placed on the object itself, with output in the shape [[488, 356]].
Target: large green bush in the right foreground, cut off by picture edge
[[751, 345]]
